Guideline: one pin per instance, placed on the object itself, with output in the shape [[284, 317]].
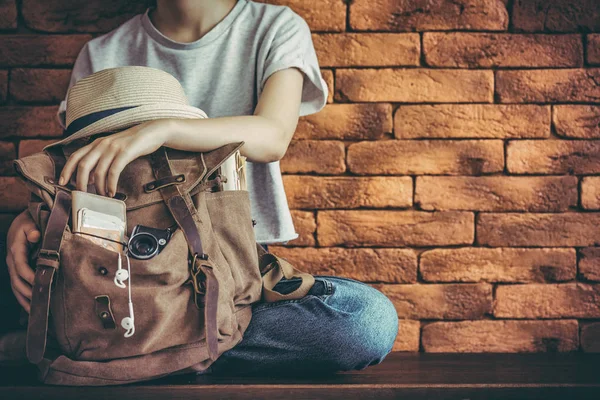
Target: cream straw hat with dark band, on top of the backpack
[[115, 99]]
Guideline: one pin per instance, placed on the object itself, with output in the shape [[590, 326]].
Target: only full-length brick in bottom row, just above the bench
[[500, 336]]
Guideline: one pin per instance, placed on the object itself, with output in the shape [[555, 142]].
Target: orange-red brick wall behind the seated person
[[455, 167]]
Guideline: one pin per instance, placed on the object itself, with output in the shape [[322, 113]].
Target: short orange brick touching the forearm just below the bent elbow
[[314, 156]]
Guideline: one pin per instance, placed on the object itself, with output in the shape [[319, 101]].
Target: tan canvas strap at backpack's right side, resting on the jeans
[[273, 269]]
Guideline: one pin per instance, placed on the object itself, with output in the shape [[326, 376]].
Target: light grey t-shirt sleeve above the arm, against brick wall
[[290, 45]]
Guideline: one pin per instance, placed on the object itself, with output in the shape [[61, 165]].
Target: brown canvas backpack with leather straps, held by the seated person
[[192, 300]]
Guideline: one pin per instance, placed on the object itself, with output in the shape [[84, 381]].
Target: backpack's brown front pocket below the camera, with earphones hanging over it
[[86, 299]]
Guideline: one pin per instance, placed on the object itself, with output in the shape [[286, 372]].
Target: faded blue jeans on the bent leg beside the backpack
[[341, 325]]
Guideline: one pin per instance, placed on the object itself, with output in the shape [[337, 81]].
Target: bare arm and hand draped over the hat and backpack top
[[266, 134]]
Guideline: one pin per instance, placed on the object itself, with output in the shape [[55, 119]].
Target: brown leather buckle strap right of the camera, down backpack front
[[182, 209]]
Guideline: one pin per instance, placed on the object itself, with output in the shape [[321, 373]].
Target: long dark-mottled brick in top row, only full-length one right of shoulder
[[425, 15]]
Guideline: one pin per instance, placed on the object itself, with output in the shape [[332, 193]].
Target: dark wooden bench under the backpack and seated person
[[400, 376]]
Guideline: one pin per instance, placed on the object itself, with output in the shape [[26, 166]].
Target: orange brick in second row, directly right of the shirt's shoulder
[[367, 49]]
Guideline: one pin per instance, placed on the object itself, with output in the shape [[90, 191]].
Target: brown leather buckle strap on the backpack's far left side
[[47, 263]]
